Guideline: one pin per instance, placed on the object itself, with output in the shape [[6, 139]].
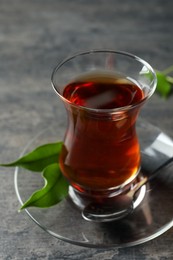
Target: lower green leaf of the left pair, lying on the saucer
[[55, 189]]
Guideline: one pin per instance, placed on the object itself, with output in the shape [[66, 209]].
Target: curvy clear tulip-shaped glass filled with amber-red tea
[[103, 92]]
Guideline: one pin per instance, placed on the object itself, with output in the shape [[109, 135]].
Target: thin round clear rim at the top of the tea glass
[[152, 84]]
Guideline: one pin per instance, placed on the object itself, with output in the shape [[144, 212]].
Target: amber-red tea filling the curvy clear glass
[[101, 150]]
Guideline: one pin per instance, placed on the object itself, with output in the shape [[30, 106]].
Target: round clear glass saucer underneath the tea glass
[[151, 218]]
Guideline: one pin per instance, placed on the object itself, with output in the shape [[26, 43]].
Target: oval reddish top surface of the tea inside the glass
[[103, 92]]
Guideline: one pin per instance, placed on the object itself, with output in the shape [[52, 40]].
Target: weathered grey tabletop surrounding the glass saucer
[[34, 37]]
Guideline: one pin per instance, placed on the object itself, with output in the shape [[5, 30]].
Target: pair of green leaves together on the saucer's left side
[[44, 159]]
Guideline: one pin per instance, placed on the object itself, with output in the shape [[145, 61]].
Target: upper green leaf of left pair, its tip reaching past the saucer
[[39, 158]]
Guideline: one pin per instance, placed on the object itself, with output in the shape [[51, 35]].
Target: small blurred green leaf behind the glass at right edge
[[163, 86]]
